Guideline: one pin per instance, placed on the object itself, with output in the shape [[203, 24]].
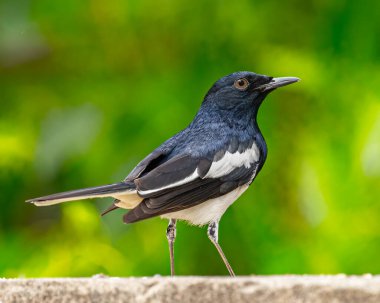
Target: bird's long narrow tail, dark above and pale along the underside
[[112, 190]]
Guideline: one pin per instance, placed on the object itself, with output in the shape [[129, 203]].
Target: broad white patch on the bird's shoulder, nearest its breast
[[230, 161]]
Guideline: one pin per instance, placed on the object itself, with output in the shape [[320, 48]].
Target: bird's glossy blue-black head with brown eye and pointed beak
[[244, 90]]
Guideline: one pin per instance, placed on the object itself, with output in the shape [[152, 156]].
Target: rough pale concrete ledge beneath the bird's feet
[[251, 289]]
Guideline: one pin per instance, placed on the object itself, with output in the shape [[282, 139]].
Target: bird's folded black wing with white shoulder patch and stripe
[[185, 181]]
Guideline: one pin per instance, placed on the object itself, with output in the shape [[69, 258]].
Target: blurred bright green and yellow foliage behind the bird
[[88, 88]]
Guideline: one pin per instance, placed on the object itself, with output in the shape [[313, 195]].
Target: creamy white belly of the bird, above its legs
[[208, 211]]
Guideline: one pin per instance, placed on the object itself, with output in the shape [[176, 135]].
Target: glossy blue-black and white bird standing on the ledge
[[199, 172]]
